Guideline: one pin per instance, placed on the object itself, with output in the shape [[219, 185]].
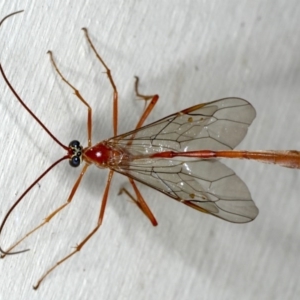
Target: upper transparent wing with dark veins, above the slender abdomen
[[217, 125]]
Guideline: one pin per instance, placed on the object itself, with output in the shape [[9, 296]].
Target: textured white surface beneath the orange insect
[[188, 52]]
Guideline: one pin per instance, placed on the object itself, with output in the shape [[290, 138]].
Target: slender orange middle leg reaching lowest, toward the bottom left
[[82, 243]]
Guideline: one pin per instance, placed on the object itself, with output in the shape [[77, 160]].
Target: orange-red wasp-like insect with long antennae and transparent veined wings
[[177, 155]]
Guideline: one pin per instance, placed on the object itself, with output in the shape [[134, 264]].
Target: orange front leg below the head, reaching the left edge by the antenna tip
[[49, 217]]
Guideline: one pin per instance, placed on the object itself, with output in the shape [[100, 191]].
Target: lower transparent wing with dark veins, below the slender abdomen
[[206, 185]]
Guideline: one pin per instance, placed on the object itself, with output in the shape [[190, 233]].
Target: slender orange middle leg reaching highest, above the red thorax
[[108, 73]]
